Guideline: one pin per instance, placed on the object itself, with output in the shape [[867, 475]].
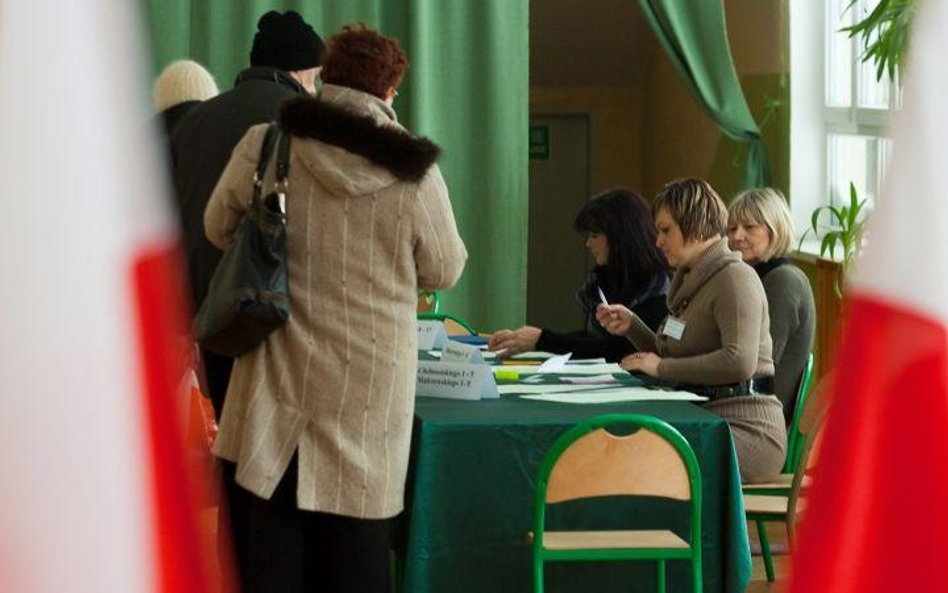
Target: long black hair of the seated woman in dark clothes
[[634, 260]]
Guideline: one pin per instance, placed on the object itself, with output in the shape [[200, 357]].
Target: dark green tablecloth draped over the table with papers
[[470, 493]]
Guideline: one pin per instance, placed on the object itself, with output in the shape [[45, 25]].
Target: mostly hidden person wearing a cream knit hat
[[181, 87]]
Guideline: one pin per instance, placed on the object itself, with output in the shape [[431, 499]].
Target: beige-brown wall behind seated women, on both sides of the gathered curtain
[[652, 130]]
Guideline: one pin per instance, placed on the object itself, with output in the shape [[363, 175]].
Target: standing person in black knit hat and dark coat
[[284, 62]]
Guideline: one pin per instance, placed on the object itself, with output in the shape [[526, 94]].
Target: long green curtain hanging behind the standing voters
[[467, 89]]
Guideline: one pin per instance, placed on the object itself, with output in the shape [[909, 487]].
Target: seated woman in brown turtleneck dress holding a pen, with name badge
[[716, 339]]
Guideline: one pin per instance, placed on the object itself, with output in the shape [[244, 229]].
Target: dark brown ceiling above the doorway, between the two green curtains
[[588, 43]]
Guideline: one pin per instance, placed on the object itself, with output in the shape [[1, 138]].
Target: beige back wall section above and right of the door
[[617, 129]]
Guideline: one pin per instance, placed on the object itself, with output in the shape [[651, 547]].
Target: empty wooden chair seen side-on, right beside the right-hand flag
[[764, 508]]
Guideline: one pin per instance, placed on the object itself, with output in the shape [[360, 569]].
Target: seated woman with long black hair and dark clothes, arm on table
[[628, 269]]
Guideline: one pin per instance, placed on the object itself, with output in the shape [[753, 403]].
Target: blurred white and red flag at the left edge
[[94, 496]]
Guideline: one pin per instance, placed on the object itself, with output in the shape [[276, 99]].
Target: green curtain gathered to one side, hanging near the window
[[694, 36]]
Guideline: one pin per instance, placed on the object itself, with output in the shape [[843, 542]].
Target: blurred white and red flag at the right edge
[[877, 514]]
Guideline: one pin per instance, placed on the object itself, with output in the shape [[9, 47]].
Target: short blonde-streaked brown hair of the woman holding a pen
[[695, 207]]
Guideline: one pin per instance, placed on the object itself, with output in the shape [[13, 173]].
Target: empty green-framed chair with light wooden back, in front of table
[[586, 462]]
